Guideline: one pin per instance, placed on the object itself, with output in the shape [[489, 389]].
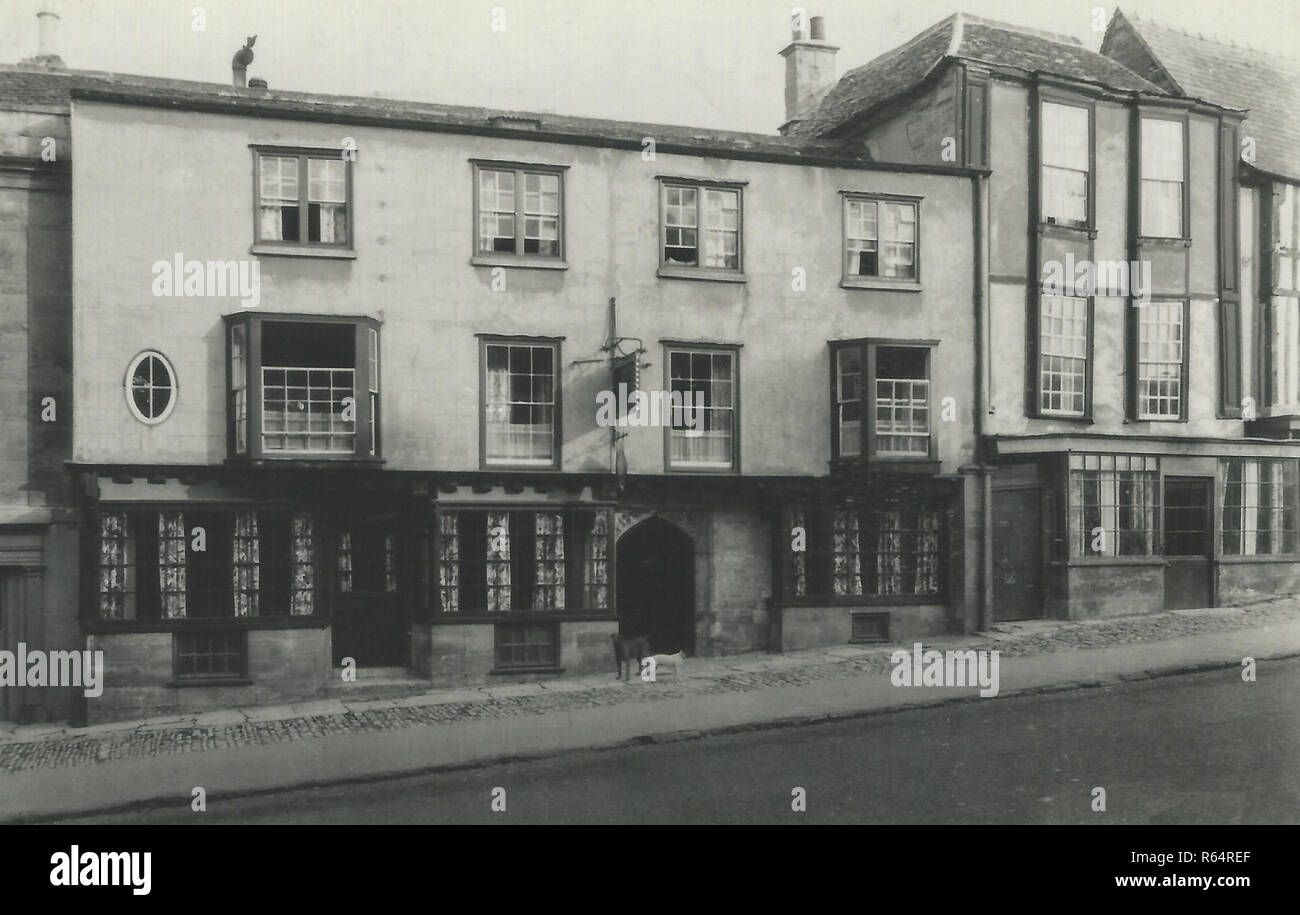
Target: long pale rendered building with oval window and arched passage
[[337, 365]]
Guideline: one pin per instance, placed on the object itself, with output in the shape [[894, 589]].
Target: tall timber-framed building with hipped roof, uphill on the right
[[1134, 424]]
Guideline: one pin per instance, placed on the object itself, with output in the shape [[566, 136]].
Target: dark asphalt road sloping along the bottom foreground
[[1191, 749]]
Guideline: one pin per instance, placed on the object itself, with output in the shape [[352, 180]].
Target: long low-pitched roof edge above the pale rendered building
[[27, 86]]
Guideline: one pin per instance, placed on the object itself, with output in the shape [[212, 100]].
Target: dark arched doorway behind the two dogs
[[657, 586]]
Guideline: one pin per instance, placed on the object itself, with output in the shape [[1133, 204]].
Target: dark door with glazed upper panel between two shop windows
[[1189, 543]]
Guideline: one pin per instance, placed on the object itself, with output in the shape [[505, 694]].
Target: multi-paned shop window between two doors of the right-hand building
[[1113, 505]]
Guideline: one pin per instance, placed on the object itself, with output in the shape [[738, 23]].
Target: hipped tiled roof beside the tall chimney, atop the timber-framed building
[[965, 38]]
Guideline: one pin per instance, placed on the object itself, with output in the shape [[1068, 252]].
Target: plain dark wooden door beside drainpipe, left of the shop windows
[[1017, 554]]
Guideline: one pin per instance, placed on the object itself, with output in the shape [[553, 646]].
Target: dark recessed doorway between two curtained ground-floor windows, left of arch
[[371, 623]]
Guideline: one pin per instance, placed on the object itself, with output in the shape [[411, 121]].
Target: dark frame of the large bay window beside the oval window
[[253, 323]]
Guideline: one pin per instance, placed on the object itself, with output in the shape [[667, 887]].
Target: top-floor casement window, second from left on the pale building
[[519, 211]]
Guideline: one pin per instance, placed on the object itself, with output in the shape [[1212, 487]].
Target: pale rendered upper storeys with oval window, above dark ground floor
[[435, 287]]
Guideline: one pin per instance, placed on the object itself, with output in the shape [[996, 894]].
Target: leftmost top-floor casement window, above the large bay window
[[304, 198]]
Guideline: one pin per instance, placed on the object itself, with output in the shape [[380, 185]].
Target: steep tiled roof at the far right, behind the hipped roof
[[1225, 75]]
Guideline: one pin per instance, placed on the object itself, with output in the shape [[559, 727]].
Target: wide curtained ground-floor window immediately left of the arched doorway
[[515, 561]]
